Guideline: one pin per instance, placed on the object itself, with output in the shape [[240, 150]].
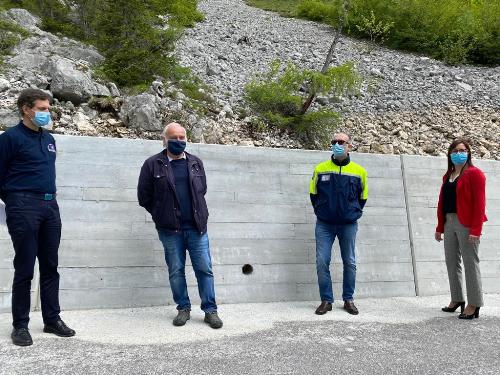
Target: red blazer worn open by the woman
[[471, 201]]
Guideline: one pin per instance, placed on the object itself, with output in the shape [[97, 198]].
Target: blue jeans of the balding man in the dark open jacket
[[175, 246]]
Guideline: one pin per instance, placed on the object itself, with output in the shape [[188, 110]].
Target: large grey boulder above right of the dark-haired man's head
[[72, 84]]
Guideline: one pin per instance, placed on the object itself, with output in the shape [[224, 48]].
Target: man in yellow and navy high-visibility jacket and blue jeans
[[338, 191]]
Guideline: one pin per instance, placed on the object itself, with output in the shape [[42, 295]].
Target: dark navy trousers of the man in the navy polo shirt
[[35, 229]]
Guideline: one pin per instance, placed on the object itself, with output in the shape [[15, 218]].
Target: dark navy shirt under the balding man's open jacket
[[181, 177]]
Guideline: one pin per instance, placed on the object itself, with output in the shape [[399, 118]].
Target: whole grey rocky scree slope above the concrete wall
[[408, 104]]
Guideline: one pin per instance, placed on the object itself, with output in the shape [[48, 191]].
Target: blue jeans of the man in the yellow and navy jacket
[[325, 236]]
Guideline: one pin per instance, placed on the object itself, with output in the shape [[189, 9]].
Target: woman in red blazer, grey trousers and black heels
[[461, 214]]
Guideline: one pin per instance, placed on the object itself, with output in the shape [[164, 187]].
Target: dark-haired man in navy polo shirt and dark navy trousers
[[28, 189]]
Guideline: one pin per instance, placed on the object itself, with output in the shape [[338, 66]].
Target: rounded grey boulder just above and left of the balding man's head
[[142, 112]]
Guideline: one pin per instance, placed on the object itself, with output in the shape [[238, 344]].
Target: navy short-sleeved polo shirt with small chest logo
[[27, 161]]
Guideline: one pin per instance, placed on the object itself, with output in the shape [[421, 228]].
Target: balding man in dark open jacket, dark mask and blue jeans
[[172, 187]]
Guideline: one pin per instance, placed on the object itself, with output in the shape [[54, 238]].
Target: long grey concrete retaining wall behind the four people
[[259, 214]]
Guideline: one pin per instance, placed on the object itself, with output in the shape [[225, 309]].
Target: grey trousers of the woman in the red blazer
[[457, 247]]
